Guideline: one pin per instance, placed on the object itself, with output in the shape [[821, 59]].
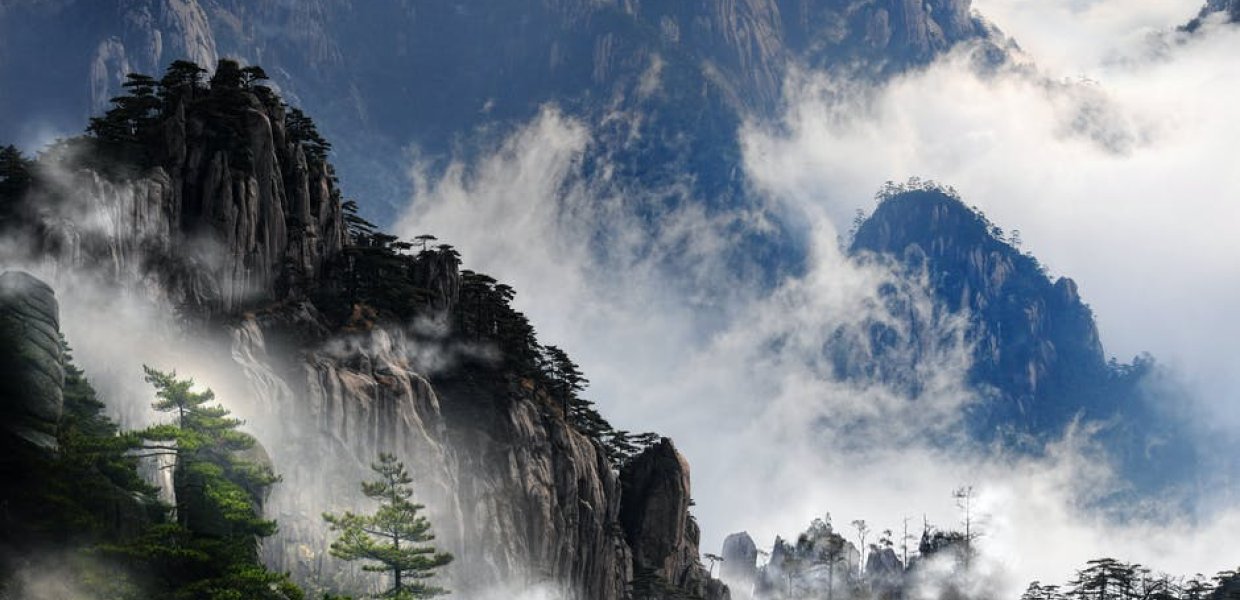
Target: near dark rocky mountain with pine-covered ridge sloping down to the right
[[214, 199]]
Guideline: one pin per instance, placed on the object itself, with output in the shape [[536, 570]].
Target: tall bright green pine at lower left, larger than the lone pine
[[211, 550]]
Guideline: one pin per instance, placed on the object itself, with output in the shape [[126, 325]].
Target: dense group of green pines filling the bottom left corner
[[94, 506]]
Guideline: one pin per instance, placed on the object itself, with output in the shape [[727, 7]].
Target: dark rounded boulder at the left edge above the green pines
[[32, 390]]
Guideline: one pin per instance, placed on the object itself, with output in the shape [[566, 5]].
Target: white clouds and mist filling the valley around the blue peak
[[1109, 148]]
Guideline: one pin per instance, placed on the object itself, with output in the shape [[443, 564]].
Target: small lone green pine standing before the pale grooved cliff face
[[394, 540]]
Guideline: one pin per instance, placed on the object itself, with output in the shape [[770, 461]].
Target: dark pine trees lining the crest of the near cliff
[[378, 278]]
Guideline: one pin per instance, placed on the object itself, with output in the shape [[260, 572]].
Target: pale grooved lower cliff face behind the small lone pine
[[492, 458]]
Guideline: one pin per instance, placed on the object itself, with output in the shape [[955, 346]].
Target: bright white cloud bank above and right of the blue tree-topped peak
[[1122, 183]]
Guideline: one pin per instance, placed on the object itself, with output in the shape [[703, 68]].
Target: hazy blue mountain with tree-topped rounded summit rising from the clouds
[[1038, 365]]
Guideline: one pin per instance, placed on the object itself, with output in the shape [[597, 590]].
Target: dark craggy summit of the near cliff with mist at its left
[[215, 227]]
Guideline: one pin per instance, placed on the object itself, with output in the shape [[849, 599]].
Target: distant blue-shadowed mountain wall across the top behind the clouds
[[446, 77]]
